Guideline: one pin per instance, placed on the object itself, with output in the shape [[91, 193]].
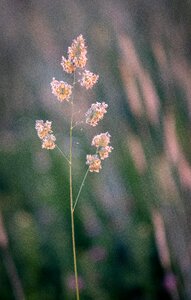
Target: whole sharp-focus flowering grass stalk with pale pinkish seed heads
[[64, 92]]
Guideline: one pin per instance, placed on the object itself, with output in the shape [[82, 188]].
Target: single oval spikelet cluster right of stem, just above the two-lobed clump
[[96, 113]]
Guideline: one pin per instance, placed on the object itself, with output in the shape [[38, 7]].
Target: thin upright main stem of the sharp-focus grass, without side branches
[[71, 201]]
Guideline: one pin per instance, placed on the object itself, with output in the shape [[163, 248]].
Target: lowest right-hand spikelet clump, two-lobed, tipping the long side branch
[[101, 142]]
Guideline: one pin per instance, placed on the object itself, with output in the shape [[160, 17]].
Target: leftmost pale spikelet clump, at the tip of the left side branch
[[44, 132]]
